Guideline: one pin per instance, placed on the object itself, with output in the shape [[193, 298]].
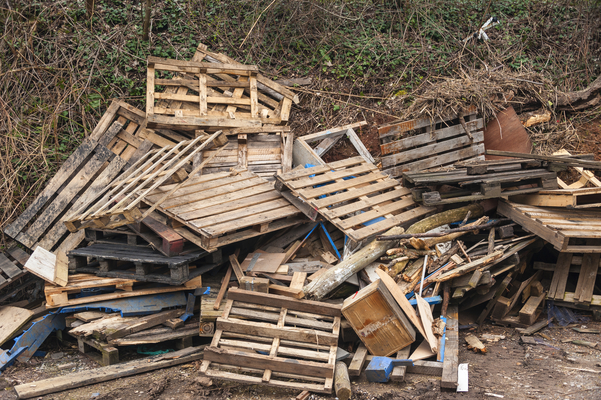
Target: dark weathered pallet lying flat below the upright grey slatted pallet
[[470, 186]]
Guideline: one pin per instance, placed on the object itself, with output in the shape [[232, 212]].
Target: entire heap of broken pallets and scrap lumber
[[207, 194]]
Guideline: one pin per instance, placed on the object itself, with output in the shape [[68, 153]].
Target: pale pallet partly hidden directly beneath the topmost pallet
[[263, 153]]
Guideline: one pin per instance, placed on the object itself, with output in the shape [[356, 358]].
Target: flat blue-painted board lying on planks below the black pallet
[[132, 306]]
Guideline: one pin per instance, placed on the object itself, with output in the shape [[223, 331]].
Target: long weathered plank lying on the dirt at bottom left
[[104, 374]]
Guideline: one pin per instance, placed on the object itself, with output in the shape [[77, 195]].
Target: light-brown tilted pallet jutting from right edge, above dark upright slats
[[567, 230]]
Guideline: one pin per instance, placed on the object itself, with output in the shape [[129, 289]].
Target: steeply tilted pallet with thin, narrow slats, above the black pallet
[[118, 203]]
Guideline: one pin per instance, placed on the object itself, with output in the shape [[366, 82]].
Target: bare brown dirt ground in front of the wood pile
[[553, 369]]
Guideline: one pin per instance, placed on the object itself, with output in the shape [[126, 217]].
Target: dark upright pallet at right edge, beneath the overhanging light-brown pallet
[[585, 293]]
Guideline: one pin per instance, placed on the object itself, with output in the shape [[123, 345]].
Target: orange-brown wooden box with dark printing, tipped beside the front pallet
[[378, 320]]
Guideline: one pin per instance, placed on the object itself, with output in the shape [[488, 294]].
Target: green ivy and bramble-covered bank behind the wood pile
[[59, 67]]
